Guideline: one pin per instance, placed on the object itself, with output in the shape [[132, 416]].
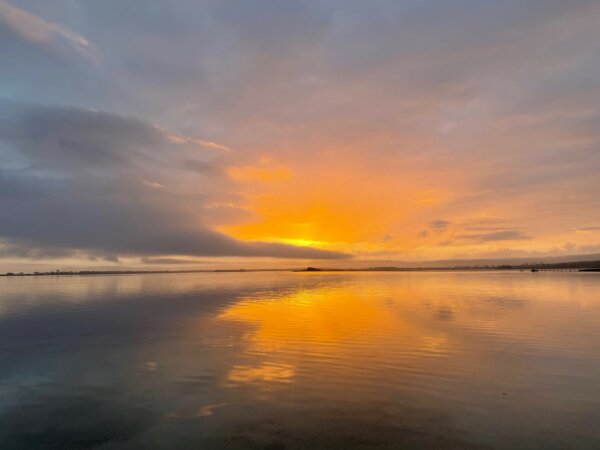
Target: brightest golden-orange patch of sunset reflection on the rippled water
[[321, 331]]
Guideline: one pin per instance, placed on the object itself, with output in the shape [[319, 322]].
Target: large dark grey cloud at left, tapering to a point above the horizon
[[75, 179]]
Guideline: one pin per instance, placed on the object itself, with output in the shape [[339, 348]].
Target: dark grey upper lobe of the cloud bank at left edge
[[67, 139]]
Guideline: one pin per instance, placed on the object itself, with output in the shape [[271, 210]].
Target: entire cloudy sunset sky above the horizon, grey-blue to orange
[[152, 133]]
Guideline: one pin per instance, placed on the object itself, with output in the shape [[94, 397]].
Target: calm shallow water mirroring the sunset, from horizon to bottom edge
[[441, 360]]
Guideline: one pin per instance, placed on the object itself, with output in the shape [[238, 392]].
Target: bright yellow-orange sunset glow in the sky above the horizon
[[331, 207]]
